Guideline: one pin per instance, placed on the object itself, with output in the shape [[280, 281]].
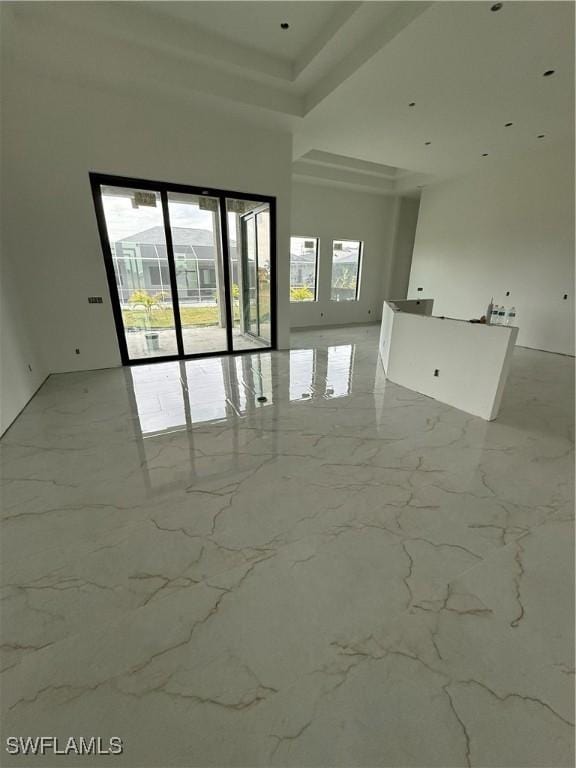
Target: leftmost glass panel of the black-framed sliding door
[[135, 229]]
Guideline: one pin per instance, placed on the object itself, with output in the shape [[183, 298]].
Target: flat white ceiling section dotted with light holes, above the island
[[469, 72]]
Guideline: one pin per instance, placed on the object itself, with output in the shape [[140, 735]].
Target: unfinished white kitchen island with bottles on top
[[460, 363]]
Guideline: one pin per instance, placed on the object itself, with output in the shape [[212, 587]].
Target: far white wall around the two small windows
[[330, 214]]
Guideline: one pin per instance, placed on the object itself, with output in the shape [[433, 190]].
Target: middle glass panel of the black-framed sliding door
[[200, 283]]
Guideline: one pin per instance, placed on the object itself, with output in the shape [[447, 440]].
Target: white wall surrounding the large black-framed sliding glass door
[[54, 133]]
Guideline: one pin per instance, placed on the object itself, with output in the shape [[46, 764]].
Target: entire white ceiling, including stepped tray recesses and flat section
[[341, 77]]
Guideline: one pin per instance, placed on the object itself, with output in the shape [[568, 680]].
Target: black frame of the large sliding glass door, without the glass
[[101, 179]]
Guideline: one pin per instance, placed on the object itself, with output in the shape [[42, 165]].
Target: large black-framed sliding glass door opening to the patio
[[190, 271]]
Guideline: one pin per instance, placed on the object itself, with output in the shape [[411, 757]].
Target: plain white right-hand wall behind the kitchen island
[[507, 227]]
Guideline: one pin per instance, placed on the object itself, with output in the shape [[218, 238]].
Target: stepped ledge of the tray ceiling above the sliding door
[[213, 63]]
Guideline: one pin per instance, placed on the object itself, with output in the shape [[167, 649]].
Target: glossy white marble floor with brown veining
[[344, 573]]
